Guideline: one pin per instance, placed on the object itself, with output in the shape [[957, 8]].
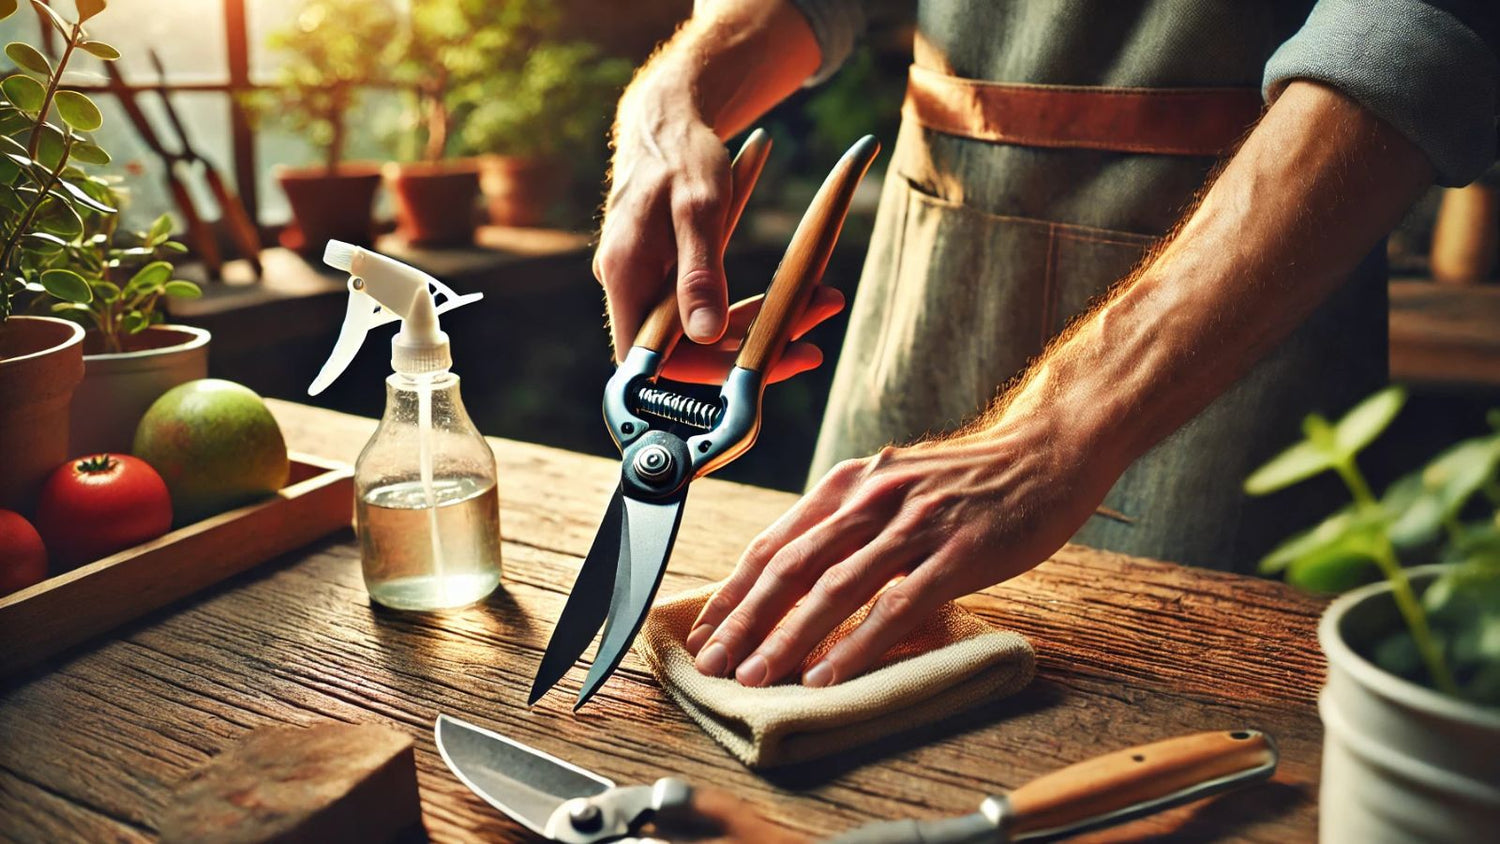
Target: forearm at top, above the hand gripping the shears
[[728, 65]]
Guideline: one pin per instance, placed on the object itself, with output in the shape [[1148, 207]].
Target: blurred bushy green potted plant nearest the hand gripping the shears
[[536, 125]]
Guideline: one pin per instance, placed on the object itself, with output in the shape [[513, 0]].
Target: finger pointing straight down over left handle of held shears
[[700, 212]]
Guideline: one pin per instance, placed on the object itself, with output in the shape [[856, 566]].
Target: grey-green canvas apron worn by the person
[[986, 248]]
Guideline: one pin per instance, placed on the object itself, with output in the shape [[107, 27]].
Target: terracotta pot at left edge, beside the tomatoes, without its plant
[[41, 364]]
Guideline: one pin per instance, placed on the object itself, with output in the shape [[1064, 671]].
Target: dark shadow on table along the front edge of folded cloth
[[1037, 696]]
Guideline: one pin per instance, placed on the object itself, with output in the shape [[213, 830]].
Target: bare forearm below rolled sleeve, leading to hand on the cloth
[[1310, 193]]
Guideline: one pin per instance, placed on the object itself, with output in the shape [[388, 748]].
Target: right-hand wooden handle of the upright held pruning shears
[[806, 260]]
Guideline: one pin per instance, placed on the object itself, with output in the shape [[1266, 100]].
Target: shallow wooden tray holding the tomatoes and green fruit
[[73, 608]]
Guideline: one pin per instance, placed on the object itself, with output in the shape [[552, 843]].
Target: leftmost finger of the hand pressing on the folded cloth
[[818, 504]]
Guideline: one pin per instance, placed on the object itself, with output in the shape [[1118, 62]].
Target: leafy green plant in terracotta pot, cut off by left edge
[[46, 200]]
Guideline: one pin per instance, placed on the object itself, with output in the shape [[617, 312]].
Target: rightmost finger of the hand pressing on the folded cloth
[[895, 615]]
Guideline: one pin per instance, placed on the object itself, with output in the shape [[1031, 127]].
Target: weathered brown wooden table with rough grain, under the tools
[[1129, 651]]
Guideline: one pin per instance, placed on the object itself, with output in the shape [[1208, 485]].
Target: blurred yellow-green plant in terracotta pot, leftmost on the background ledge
[[332, 49]]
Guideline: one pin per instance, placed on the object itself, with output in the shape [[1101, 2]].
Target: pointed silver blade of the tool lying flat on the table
[[524, 783]]
